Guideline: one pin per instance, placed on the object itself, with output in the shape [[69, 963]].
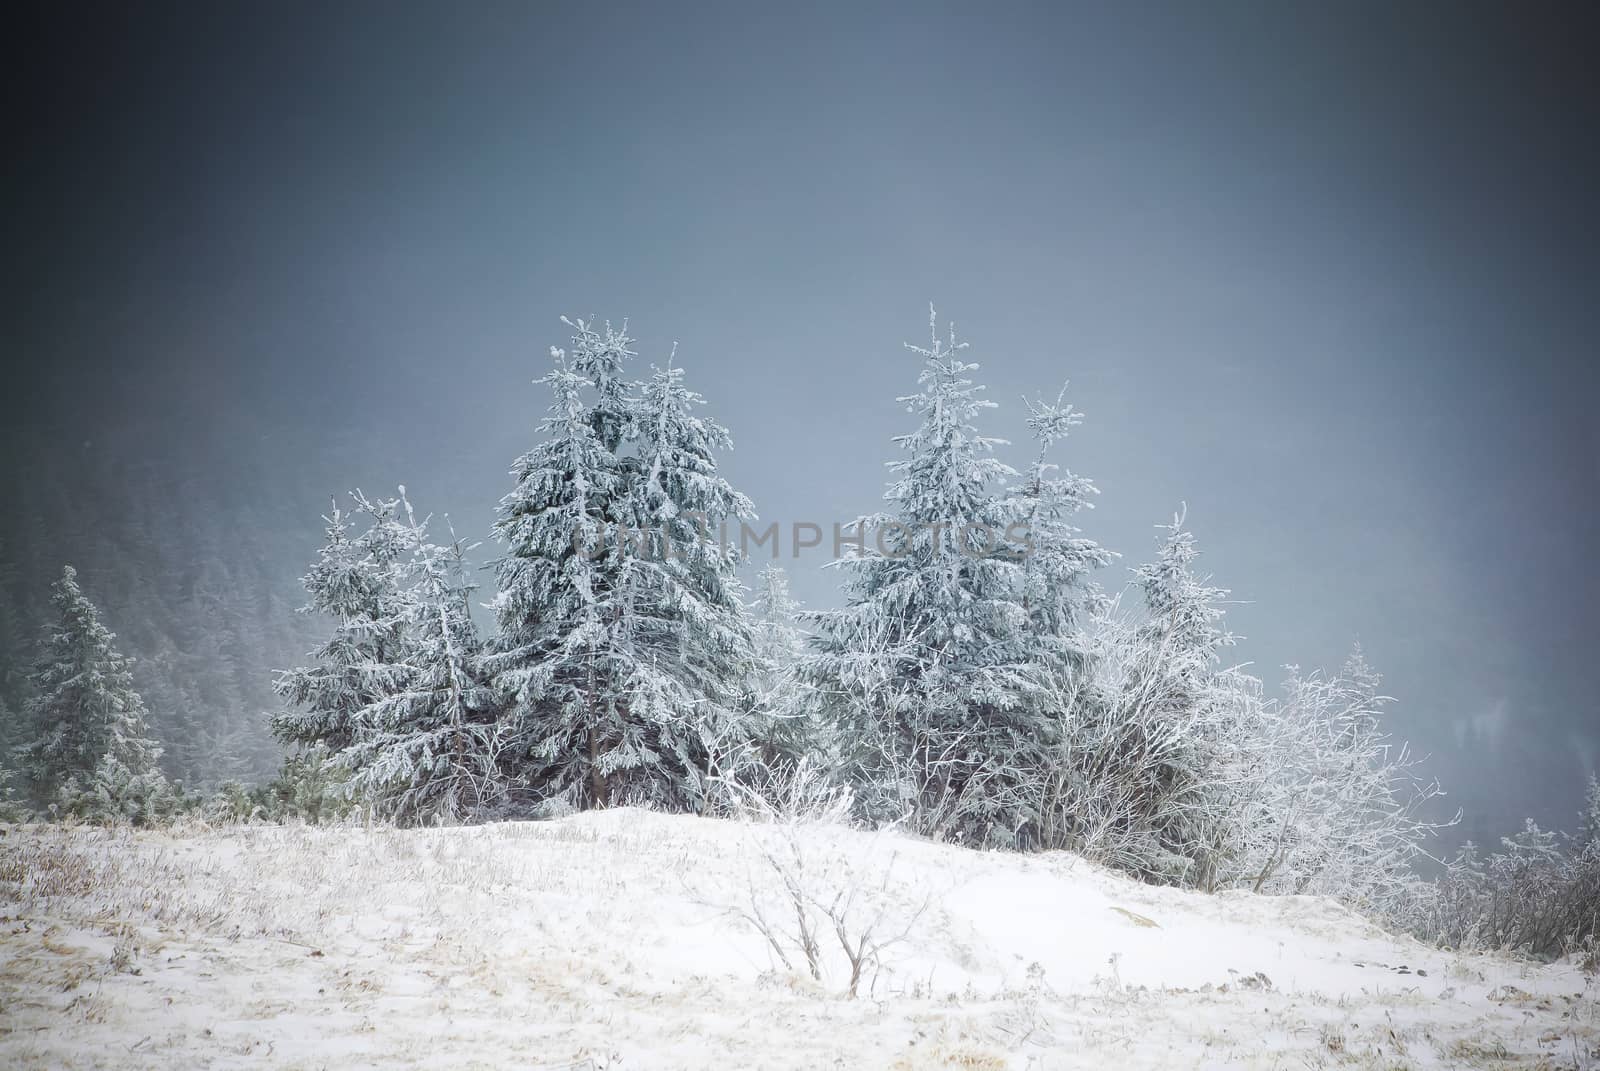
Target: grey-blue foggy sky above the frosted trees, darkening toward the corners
[[1327, 275]]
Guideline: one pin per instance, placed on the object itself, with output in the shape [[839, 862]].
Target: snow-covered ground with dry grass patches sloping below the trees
[[625, 941]]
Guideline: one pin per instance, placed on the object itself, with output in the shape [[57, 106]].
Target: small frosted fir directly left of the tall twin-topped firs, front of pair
[[428, 747]]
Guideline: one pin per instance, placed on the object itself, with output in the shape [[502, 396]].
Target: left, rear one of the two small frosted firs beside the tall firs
[[359, 584]]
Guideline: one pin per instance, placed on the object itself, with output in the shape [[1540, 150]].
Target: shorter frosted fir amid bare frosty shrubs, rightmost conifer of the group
[[1145, 771]]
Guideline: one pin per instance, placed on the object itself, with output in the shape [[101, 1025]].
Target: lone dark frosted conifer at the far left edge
[[84, 712]]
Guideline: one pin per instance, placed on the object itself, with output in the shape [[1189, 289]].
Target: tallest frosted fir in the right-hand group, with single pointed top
[[926, 670]]
